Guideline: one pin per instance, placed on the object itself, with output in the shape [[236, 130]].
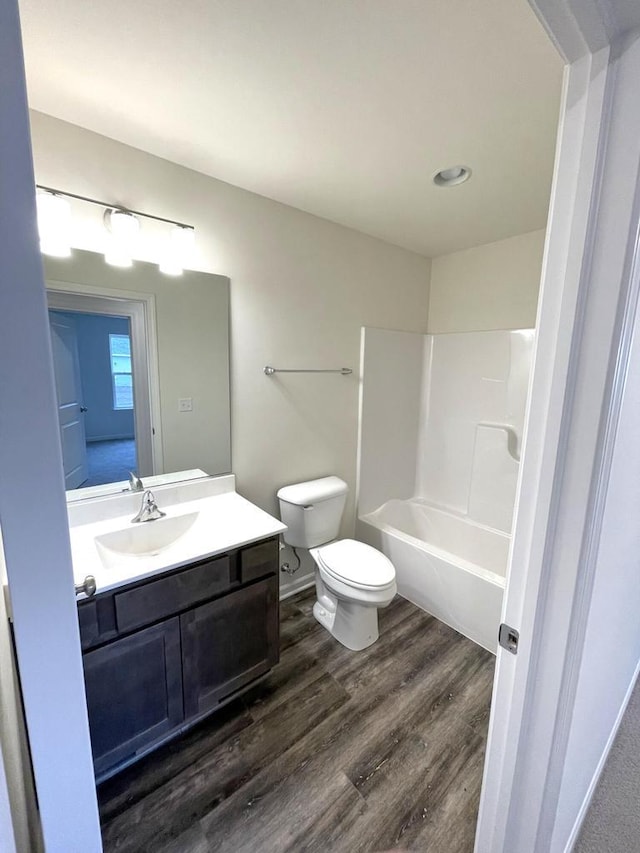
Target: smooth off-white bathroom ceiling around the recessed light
[[342, 108]]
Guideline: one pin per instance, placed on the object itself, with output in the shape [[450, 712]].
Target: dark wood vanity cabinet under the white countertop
[[163, 652]]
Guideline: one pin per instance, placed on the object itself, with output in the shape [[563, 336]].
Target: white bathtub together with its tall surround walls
[[441, 421]]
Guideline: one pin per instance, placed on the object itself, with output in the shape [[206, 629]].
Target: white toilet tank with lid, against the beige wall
[[312, 511]]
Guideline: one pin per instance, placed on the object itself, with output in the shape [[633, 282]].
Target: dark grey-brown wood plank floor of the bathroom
[[334, 751]]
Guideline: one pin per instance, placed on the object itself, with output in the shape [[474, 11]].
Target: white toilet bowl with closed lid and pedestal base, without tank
[[352, 581]]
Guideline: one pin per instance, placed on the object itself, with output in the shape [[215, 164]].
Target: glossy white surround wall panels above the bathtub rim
[[451, 430]]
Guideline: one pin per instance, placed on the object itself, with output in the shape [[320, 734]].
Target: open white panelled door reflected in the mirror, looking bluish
[[66, 367]]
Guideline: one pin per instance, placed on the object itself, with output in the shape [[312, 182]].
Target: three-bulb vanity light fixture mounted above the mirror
[[123, 225]]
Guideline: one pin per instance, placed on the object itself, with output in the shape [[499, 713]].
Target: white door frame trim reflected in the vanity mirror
[[140, 309]]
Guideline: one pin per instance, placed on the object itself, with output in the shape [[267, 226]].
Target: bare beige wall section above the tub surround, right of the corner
[[494, 286]]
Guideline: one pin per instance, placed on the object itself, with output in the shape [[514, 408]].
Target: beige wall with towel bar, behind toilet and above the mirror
[[301, 288]]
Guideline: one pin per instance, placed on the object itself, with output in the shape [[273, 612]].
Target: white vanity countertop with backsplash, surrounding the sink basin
[[223, 520]]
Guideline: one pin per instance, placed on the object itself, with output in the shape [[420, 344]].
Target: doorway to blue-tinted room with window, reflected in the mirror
[[104, 387]]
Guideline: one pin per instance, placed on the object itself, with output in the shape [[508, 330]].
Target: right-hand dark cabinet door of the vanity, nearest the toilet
[[227, 643]]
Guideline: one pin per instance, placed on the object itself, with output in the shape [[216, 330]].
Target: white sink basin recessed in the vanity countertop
[[145, 539]]
